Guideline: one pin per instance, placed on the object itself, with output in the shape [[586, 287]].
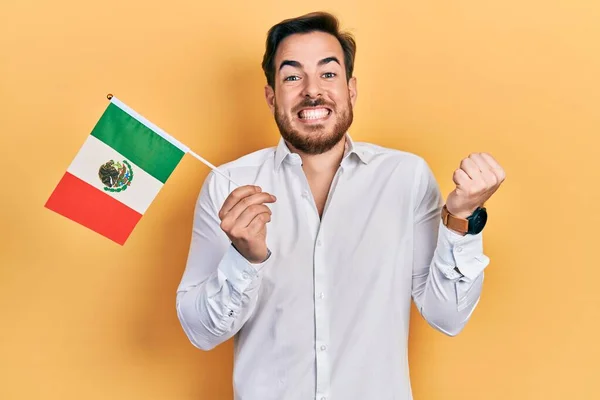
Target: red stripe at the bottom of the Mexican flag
[[87, 205]]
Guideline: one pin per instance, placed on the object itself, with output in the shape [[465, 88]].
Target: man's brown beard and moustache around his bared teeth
[[317, 140]]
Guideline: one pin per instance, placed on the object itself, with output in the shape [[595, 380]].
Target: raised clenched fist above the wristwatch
[[477, 179]]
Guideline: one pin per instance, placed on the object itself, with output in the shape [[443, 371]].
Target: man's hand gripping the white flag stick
[[244, 216]]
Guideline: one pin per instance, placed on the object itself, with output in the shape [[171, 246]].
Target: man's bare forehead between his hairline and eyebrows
[[308, 48]]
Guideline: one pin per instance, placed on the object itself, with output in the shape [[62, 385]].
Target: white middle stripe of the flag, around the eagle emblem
[[93, 154]]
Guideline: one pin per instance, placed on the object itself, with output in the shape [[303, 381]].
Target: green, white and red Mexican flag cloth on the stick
[[117, 173]]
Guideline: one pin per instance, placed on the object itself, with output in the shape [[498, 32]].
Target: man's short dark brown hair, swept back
[[313, 22]]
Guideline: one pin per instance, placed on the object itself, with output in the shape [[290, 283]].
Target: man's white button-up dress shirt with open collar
[[326, 316]]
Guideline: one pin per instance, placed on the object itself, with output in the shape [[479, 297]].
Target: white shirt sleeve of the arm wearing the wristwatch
[[447, 267]]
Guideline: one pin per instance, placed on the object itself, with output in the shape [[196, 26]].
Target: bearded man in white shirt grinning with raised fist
[[319, 301]]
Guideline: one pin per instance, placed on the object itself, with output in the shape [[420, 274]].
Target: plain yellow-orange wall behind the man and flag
[[83, 318]]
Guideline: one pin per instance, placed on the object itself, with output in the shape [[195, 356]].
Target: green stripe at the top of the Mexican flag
[[137, 143]]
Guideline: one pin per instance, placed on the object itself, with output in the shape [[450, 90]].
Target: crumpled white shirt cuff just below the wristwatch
[[463, 252]]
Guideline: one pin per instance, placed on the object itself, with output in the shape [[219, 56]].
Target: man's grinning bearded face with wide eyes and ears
[[312, 100]]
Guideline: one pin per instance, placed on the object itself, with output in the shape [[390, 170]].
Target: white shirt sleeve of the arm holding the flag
[[219, 288]]
